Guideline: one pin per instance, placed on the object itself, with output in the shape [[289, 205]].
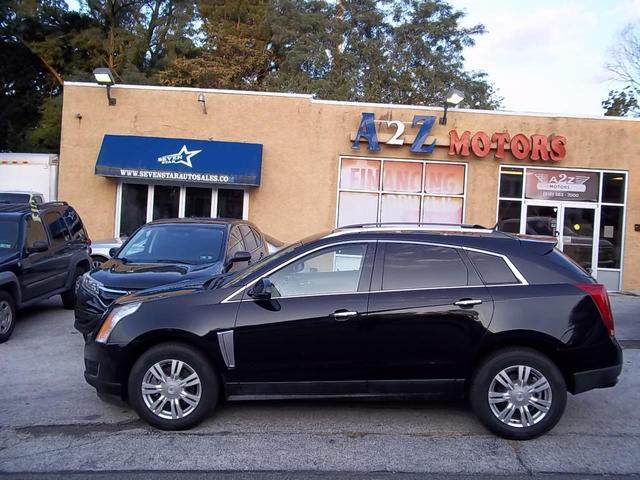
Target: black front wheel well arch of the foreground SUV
[[138, 347]]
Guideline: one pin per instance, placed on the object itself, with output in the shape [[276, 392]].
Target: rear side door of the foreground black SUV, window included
[[428, 310]]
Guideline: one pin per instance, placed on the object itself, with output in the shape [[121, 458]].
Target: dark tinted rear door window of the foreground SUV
[[409, 266]]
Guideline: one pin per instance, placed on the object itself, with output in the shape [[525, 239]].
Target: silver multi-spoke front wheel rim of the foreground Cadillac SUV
[[171, 389]]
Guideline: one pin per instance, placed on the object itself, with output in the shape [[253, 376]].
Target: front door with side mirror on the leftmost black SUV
[[37, 275]]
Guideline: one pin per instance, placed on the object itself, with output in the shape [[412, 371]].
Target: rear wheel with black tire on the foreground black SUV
[[544, 407]]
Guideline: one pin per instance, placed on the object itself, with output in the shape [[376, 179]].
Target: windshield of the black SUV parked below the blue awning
[[191, 244]]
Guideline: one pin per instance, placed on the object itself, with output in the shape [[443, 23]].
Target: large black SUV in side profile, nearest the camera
[[369, 311]]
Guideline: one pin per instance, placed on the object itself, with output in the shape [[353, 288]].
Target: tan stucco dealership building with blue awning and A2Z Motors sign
[[295, 165]]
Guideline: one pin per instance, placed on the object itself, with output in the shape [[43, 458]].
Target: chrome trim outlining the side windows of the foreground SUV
[[523, 281]]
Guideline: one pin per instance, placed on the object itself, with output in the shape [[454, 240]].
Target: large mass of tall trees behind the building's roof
[[397, 51]]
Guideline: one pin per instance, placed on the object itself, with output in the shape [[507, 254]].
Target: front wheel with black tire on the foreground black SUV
[[168, 396]]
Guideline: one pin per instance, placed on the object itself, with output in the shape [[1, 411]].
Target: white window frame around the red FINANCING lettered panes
[[380, 191]]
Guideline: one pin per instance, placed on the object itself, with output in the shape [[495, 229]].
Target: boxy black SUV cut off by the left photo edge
[[43, 251]]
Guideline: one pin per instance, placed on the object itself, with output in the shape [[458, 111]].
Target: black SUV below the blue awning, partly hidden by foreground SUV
[[167, 251]]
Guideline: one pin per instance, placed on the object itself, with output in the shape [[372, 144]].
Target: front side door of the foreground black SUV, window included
[[305, 339]]
